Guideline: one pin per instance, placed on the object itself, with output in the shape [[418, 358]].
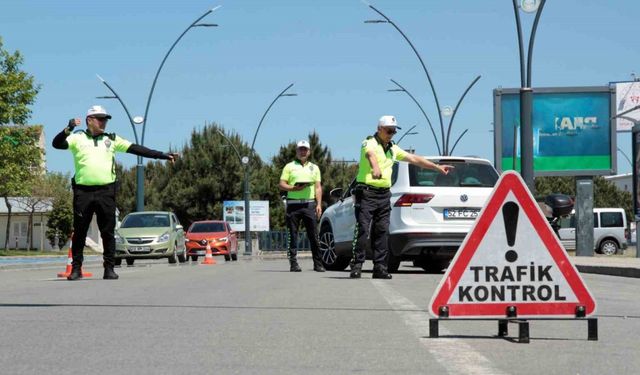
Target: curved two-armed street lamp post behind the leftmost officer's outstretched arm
[[143, 120]]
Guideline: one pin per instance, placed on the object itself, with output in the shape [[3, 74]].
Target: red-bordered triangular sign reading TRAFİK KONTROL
[[511, 258]]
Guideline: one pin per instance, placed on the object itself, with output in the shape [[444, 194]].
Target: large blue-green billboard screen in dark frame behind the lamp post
[[572, 130]]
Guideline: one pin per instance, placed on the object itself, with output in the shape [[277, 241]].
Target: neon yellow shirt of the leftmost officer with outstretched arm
[[94, 157]]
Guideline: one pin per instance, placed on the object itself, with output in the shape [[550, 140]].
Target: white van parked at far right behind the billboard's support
[[609, 230]]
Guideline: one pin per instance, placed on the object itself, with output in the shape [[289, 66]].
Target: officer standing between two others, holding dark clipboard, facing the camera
[[301, 180]]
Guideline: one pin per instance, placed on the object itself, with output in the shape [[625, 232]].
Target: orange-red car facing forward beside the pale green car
[[217, 233]]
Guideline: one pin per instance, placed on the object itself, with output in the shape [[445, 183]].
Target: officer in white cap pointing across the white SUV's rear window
[[372, 207]]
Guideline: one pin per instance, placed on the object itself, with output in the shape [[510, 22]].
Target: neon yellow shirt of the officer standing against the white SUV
[[385, 156]]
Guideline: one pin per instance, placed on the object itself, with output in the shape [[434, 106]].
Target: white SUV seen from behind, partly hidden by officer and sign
[[431, 213]]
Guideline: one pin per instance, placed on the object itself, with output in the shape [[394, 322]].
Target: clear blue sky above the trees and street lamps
[[340, 66]]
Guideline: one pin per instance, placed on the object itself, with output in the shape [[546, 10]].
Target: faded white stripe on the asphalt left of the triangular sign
[[453, 354]]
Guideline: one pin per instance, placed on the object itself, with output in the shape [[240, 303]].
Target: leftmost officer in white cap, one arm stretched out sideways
[[94, 182]]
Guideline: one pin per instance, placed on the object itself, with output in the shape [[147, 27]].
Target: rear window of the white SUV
[[463, 174]]
